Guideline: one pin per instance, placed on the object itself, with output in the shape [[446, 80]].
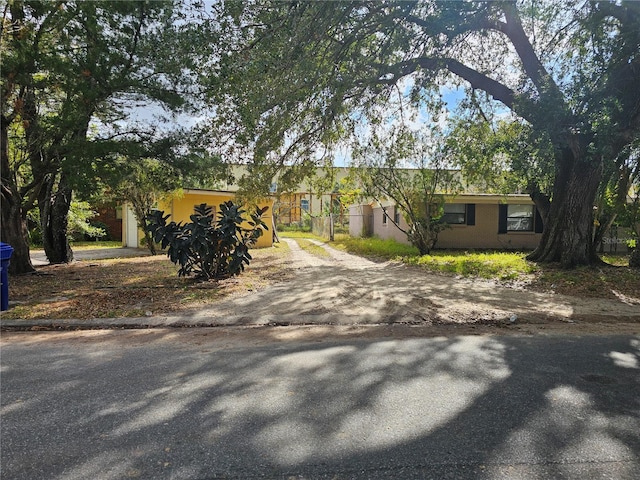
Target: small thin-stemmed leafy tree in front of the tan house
[[408, 168]]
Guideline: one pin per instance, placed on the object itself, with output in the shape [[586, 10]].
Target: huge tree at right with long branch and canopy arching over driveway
[[300, 74]]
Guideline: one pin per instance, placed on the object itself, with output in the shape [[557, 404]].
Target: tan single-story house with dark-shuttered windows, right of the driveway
[[476, 221]]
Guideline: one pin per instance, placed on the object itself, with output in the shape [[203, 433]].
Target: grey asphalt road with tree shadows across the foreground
[[459, 407]]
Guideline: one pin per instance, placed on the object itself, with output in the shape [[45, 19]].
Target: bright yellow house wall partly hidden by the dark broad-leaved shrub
[[181, 209]]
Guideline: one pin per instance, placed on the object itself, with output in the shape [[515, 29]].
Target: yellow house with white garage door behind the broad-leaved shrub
[[182, 208]]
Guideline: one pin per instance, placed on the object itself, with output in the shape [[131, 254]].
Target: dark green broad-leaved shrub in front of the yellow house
[[206, 248]]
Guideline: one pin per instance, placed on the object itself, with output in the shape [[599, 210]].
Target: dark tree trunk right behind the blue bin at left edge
[[14, 229]]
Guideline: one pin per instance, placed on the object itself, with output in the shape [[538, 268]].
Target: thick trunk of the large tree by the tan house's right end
[[568, 230]]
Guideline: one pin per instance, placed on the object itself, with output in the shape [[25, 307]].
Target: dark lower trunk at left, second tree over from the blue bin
[[54, 215]]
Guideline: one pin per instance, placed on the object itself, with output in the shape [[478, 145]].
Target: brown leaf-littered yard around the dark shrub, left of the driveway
[[131, 287]]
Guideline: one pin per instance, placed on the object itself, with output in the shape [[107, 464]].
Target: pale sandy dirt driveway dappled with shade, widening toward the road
[[347, 290]]
